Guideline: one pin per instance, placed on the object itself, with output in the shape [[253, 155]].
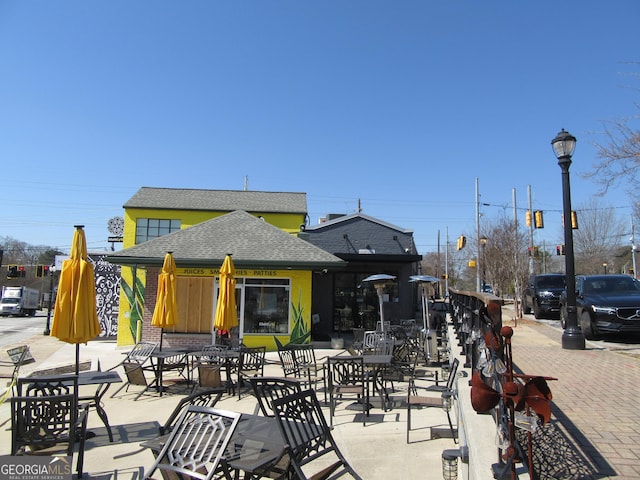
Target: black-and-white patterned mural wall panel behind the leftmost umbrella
[[107, 294]]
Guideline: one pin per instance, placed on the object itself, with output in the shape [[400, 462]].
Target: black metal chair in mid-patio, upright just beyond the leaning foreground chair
[[347, 376]]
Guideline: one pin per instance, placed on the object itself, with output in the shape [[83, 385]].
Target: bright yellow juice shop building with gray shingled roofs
[[273, 268]]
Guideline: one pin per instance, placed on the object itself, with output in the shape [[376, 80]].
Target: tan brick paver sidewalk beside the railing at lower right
[[595, 428]]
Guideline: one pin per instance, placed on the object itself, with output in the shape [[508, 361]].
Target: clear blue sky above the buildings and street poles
[[398, 105]]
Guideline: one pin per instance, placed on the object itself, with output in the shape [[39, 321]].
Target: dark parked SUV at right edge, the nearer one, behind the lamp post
[[605, 304]]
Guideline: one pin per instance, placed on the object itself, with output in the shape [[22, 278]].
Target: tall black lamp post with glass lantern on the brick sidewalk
[[572, 337]]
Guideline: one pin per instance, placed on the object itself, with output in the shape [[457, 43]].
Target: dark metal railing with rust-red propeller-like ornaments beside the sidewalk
[[518, 403]]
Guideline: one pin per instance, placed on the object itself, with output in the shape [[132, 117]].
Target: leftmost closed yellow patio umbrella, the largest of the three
[[75, 318]]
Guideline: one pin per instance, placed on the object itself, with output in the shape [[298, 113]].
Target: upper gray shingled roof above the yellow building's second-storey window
[[218, 200]]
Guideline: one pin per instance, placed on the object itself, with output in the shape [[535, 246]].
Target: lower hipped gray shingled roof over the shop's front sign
[[252, 241]]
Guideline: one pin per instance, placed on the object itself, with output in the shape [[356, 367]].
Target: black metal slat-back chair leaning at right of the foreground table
[[308, 438]]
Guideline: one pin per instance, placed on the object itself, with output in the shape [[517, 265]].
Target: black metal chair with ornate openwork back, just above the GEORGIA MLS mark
[[48, 425]]
